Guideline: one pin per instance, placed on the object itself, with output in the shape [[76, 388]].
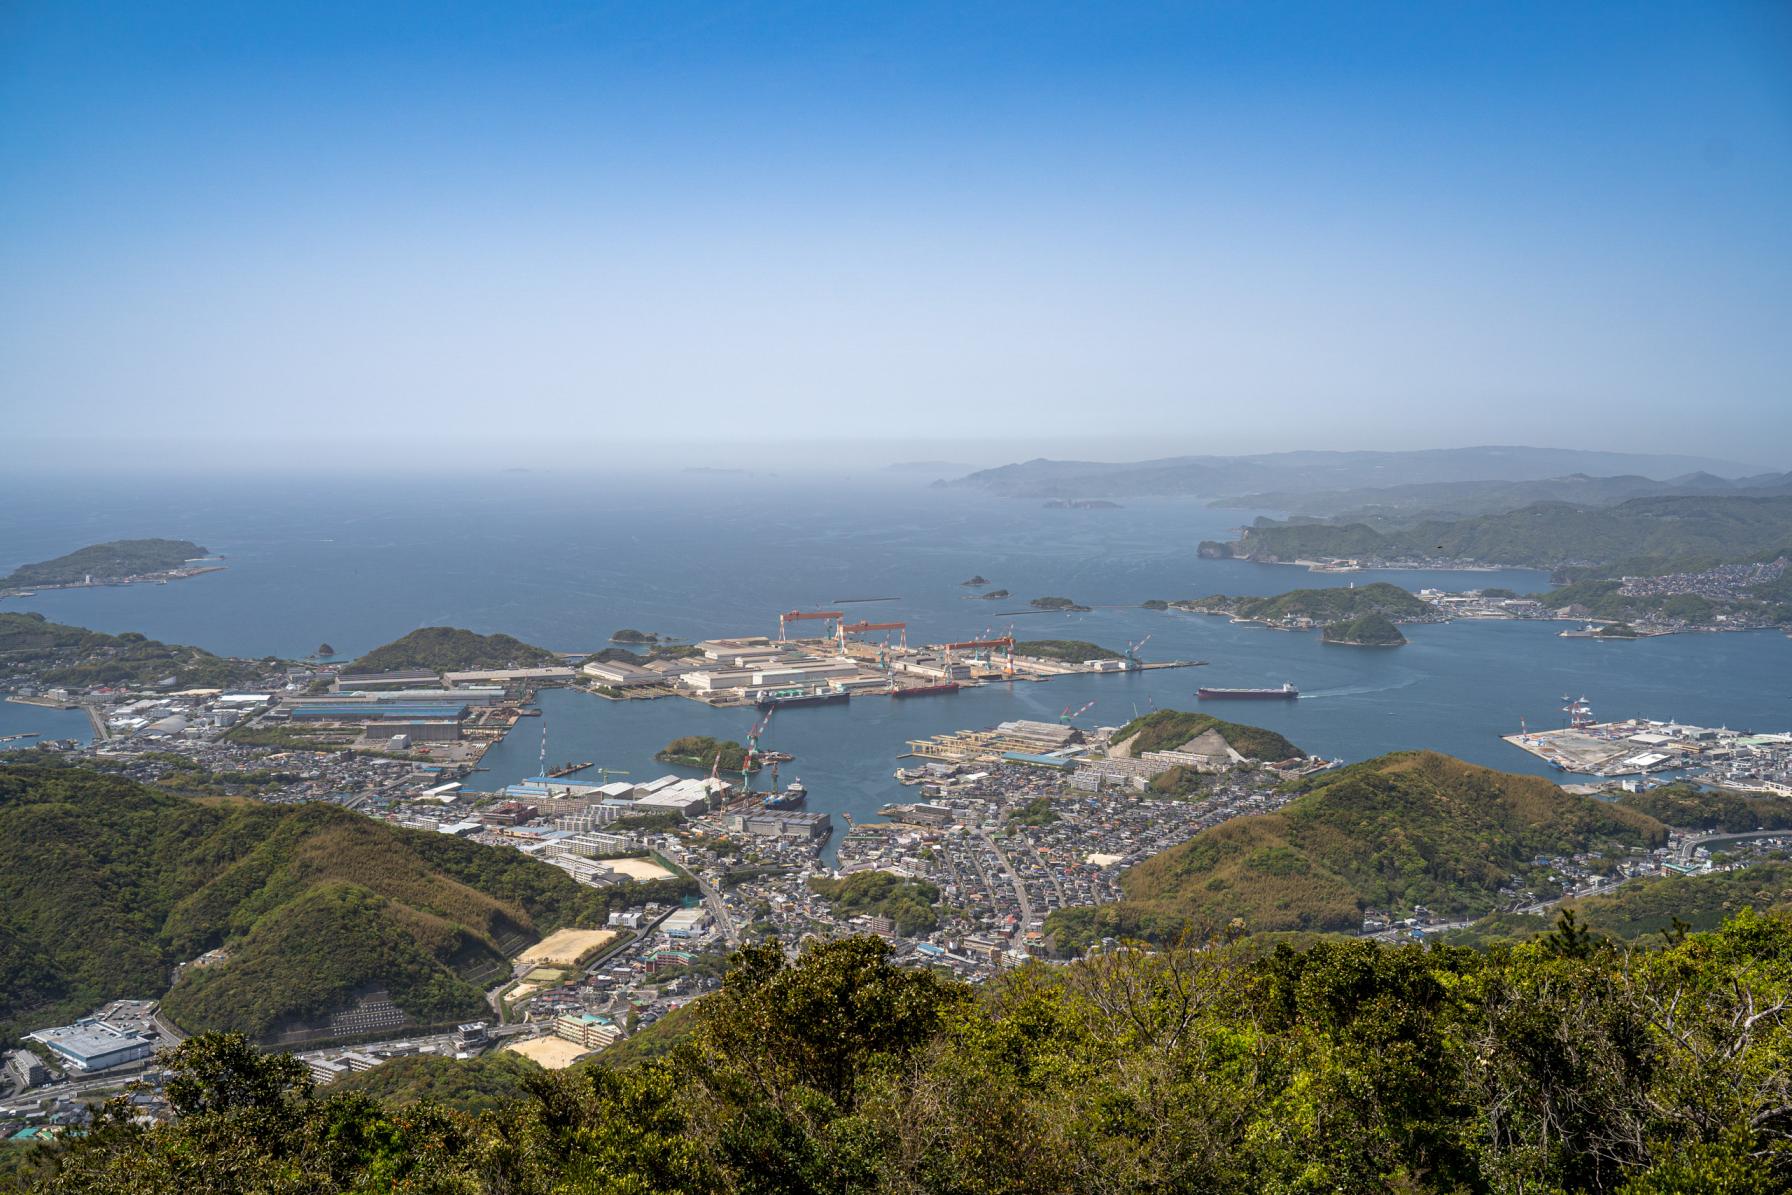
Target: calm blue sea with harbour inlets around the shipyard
[[567, 560]]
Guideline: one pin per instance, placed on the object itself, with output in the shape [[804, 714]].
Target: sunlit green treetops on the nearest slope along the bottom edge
[[1347, 1067]]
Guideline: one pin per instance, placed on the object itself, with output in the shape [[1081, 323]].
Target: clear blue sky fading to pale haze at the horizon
[[1210, 227]]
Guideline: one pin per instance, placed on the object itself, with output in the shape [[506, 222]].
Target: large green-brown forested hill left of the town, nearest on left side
[[107, 884]]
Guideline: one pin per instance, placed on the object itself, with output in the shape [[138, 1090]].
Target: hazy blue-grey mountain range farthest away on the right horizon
[[1318, 472]]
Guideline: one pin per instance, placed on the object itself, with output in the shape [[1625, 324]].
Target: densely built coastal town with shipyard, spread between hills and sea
[[1012, 825]]
